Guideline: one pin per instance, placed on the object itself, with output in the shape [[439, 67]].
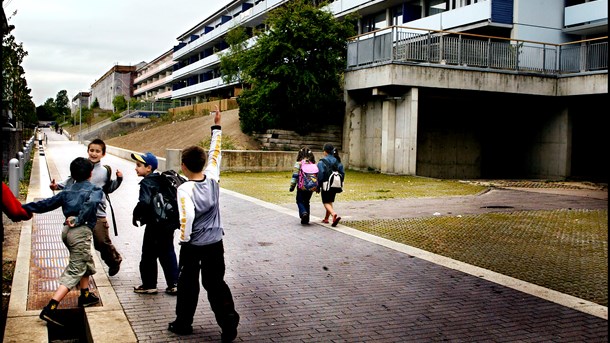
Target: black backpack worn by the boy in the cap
[[165, 200]]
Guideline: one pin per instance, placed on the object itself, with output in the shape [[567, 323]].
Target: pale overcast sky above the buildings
[[72, 43]]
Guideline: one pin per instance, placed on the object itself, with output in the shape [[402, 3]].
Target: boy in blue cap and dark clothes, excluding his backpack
[[158, 241]]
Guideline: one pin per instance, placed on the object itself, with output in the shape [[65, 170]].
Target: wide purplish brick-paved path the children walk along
[[314, 284]]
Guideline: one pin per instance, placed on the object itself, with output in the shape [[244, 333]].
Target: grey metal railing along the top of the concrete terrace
[[399, 44]]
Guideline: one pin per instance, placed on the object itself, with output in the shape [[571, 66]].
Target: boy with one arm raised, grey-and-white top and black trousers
[[202, 250]]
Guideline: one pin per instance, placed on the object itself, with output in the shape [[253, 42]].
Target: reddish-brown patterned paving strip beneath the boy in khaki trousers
[[48, 259]]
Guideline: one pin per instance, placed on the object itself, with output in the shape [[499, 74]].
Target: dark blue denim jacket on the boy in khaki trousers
[[79, 200]]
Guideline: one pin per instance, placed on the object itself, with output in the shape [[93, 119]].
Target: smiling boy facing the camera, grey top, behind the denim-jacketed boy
[[96, 150]]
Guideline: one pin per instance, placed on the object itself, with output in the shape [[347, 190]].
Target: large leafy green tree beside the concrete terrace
[[294, 70]]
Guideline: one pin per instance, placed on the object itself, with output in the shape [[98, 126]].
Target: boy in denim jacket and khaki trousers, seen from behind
[[79, 203]]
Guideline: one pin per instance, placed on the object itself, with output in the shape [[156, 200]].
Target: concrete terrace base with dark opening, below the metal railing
[[471, 124]]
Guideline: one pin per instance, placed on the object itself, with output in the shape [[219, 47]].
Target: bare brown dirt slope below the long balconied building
[[180, 134]]
